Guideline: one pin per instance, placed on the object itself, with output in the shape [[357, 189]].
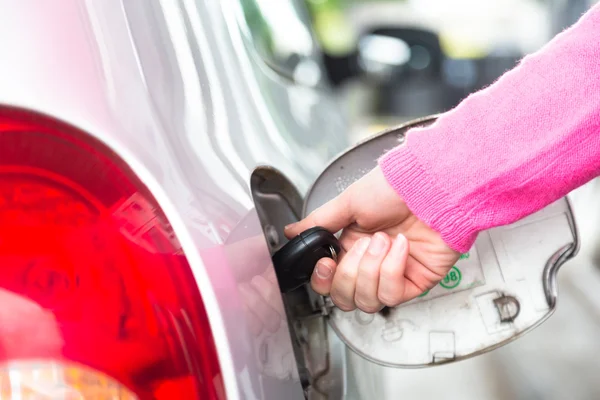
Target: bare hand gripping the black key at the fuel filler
[[388, 255]]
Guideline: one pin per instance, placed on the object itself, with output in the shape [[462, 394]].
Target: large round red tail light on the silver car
[[98, 301]]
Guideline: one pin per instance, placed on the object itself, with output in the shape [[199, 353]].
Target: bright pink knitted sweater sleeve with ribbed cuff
[[511, 149]]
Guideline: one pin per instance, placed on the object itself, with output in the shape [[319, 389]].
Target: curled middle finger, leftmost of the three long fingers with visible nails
[[344, 280]]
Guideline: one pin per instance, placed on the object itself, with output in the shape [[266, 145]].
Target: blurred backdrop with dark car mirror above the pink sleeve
[[395, 60]]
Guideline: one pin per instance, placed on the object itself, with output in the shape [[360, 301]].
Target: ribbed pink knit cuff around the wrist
[[426, 199]]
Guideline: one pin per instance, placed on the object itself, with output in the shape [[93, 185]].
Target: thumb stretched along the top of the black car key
[[334, 215]]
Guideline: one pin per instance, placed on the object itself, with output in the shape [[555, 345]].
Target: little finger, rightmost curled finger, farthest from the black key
[[391, 291]]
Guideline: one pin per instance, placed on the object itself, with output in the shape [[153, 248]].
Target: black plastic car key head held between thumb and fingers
[[295, 261]]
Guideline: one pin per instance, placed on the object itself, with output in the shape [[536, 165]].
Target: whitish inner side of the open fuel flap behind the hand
[[502, 288]]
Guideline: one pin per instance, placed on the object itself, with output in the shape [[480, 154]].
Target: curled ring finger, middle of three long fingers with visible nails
[[367, 281]]
